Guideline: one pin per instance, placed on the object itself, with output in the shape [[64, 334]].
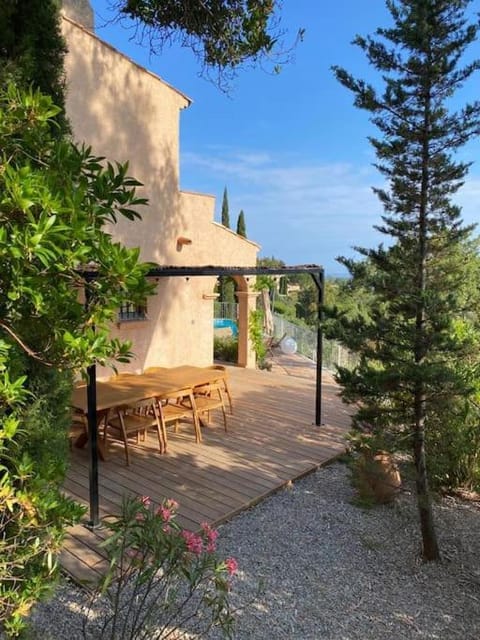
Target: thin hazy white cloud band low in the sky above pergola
[[300, 211]]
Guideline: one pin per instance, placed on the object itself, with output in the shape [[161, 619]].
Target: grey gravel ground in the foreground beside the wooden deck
[[333, 571]]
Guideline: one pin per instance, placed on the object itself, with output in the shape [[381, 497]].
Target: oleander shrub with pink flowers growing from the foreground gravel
[[163, 581]]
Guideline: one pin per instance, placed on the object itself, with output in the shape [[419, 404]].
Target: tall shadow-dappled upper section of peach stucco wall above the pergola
[[126, 113]]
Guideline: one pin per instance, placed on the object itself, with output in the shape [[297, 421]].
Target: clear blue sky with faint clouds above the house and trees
[[290, 148]]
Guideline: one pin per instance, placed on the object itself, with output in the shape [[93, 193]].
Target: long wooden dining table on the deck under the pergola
[[130, 389]]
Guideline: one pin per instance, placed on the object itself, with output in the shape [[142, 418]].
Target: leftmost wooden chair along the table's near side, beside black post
[[136, 420]]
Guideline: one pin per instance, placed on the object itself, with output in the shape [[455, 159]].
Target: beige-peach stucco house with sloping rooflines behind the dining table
[[127, 113]]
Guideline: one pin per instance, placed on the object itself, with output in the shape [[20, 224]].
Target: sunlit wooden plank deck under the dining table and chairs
[[271, 441]]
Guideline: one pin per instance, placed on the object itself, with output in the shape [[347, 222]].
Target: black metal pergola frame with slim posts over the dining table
[[318, 276]]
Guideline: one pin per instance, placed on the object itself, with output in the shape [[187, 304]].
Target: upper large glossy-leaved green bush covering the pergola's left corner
[[57, 199]]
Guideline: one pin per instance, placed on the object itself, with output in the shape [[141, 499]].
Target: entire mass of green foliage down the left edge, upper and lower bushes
[[55, 200]]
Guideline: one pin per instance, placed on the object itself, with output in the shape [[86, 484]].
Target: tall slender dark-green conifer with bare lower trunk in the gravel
[[410, 343]]
